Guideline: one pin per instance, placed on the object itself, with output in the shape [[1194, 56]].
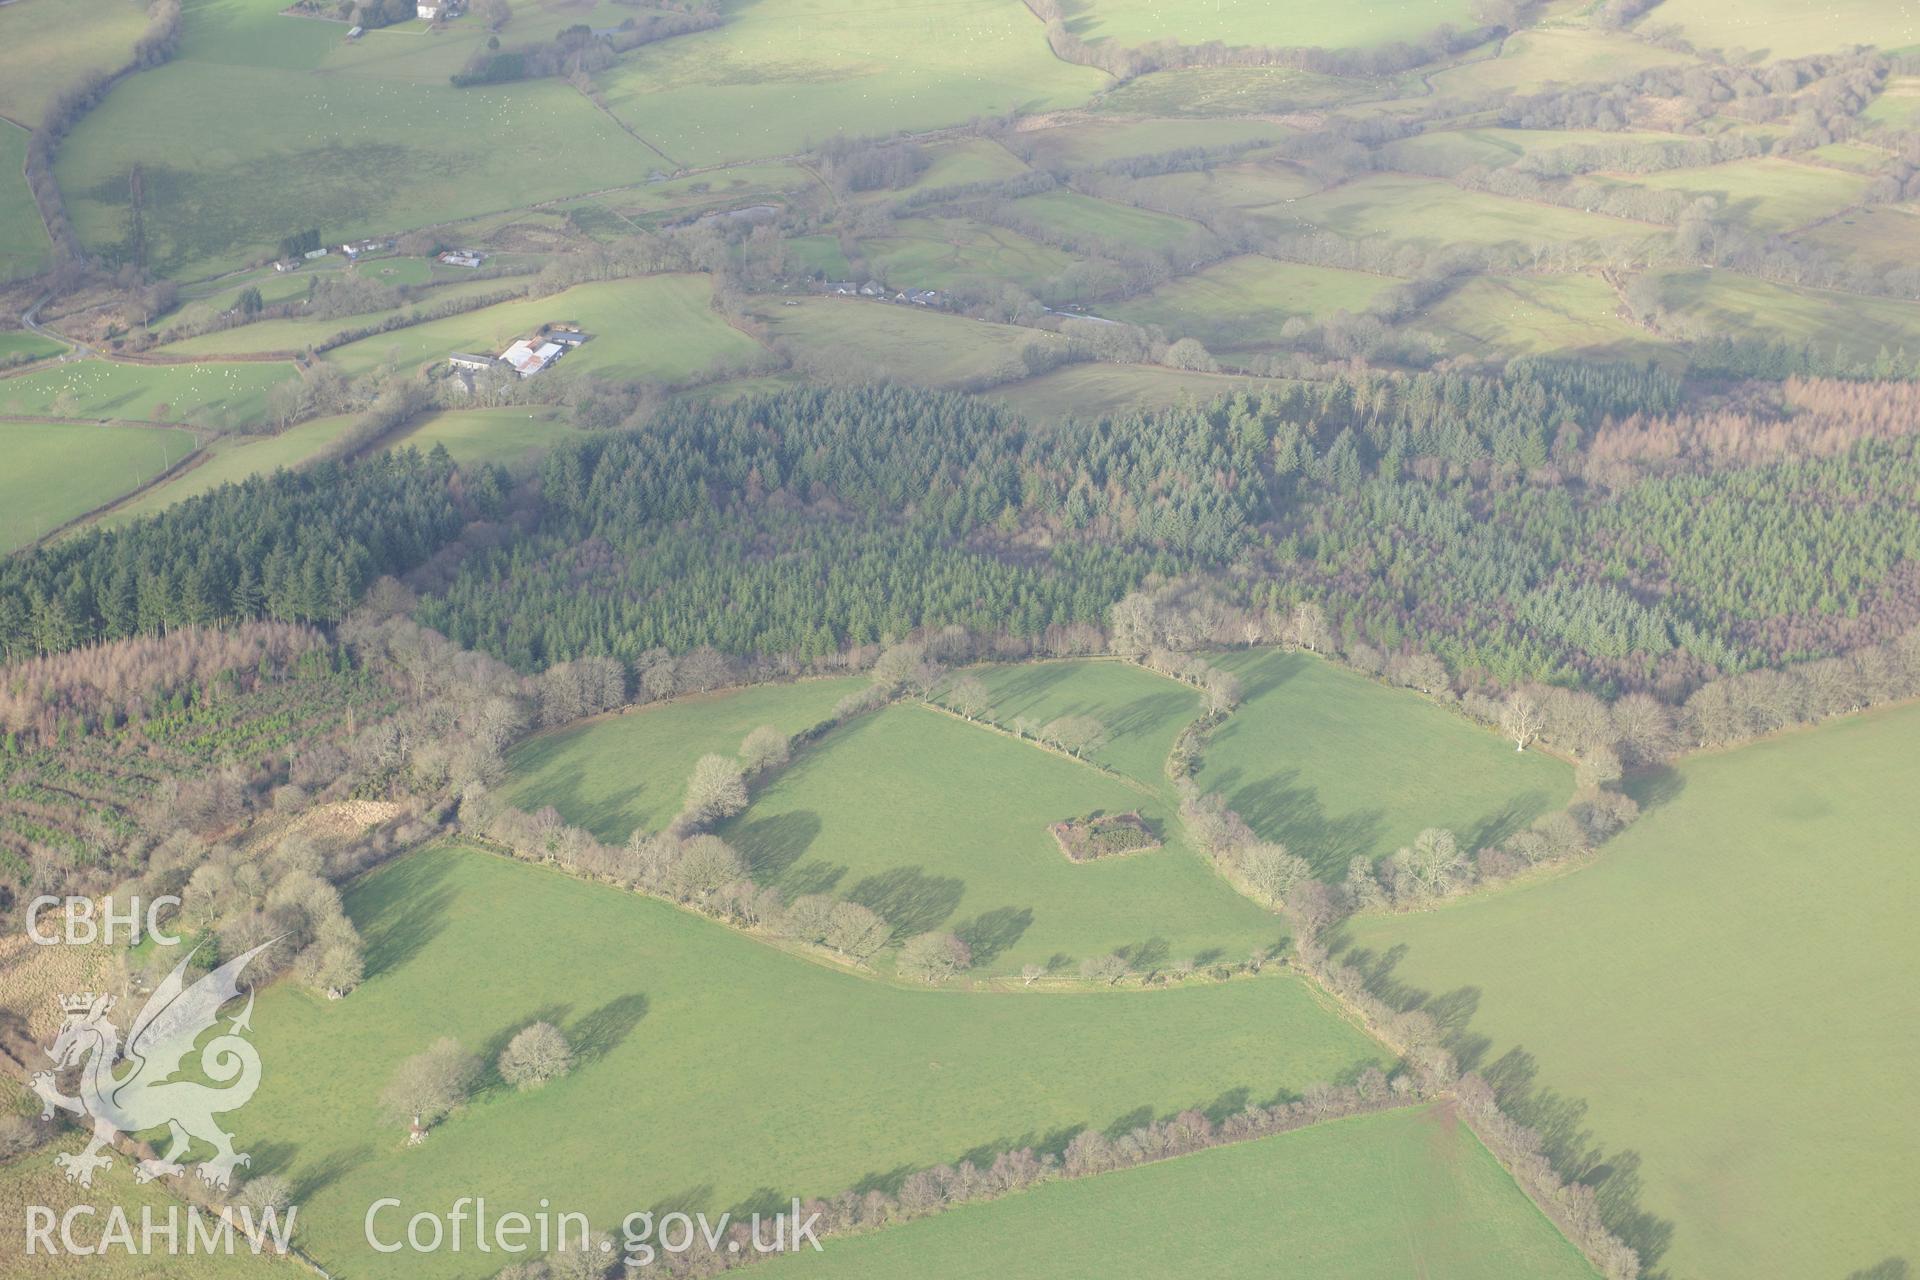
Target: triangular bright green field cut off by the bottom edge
[[1364, 1198]]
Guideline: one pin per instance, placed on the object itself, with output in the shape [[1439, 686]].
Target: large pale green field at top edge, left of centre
[[784, 76]]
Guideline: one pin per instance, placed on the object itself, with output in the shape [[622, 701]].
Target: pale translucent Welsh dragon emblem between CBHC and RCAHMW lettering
[[149, 1097]]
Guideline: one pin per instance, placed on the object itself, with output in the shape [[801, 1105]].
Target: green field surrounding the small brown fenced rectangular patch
[[892, 813]]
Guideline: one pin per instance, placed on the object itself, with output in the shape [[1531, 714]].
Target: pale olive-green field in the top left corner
[[49, 45]]
